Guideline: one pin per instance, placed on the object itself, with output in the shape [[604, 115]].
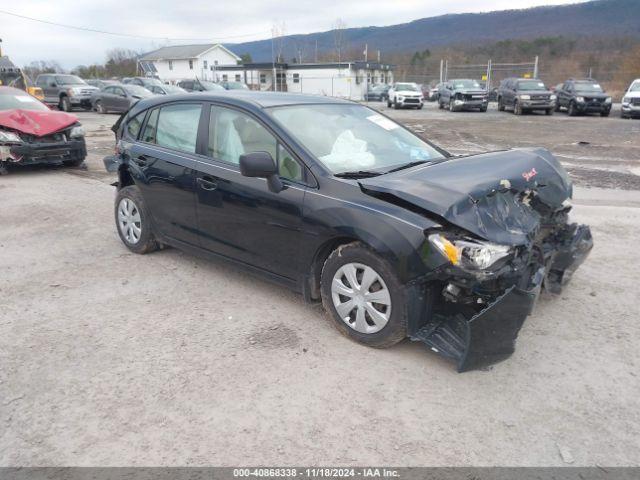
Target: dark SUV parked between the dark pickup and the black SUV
[[525, 95]]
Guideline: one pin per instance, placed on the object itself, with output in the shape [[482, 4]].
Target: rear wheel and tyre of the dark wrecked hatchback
[[133, 221]]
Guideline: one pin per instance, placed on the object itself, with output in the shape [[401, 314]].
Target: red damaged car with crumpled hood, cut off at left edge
[[31, 133]]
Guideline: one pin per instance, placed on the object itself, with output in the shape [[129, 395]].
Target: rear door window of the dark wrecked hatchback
[[174, 126]]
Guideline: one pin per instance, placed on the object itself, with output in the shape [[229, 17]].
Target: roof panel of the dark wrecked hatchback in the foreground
[[252, 98]]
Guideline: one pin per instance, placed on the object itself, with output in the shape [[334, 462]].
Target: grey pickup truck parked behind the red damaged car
[[65, 91]]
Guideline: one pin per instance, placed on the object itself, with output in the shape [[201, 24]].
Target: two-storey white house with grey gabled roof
[[178, 62]]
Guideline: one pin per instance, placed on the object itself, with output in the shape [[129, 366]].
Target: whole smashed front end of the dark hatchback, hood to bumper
[[500, 244]]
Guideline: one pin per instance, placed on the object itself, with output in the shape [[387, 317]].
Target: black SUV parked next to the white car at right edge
[[583, 96]]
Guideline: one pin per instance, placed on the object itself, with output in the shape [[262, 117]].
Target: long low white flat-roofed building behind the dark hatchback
[[345, 79]]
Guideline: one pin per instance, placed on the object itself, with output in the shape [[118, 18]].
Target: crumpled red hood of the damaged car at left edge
[[38, 123]]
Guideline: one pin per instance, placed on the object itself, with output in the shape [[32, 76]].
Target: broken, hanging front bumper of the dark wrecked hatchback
[[488, 336]]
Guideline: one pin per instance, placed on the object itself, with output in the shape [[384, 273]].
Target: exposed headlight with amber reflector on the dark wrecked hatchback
[[471, 254]]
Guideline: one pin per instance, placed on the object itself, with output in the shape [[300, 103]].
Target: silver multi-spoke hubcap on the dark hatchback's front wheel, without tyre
[[361, 298]]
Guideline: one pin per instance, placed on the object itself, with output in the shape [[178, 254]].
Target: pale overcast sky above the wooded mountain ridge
[[197, 21]]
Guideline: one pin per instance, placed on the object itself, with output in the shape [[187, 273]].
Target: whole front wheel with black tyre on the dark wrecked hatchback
[[364, 296]]
